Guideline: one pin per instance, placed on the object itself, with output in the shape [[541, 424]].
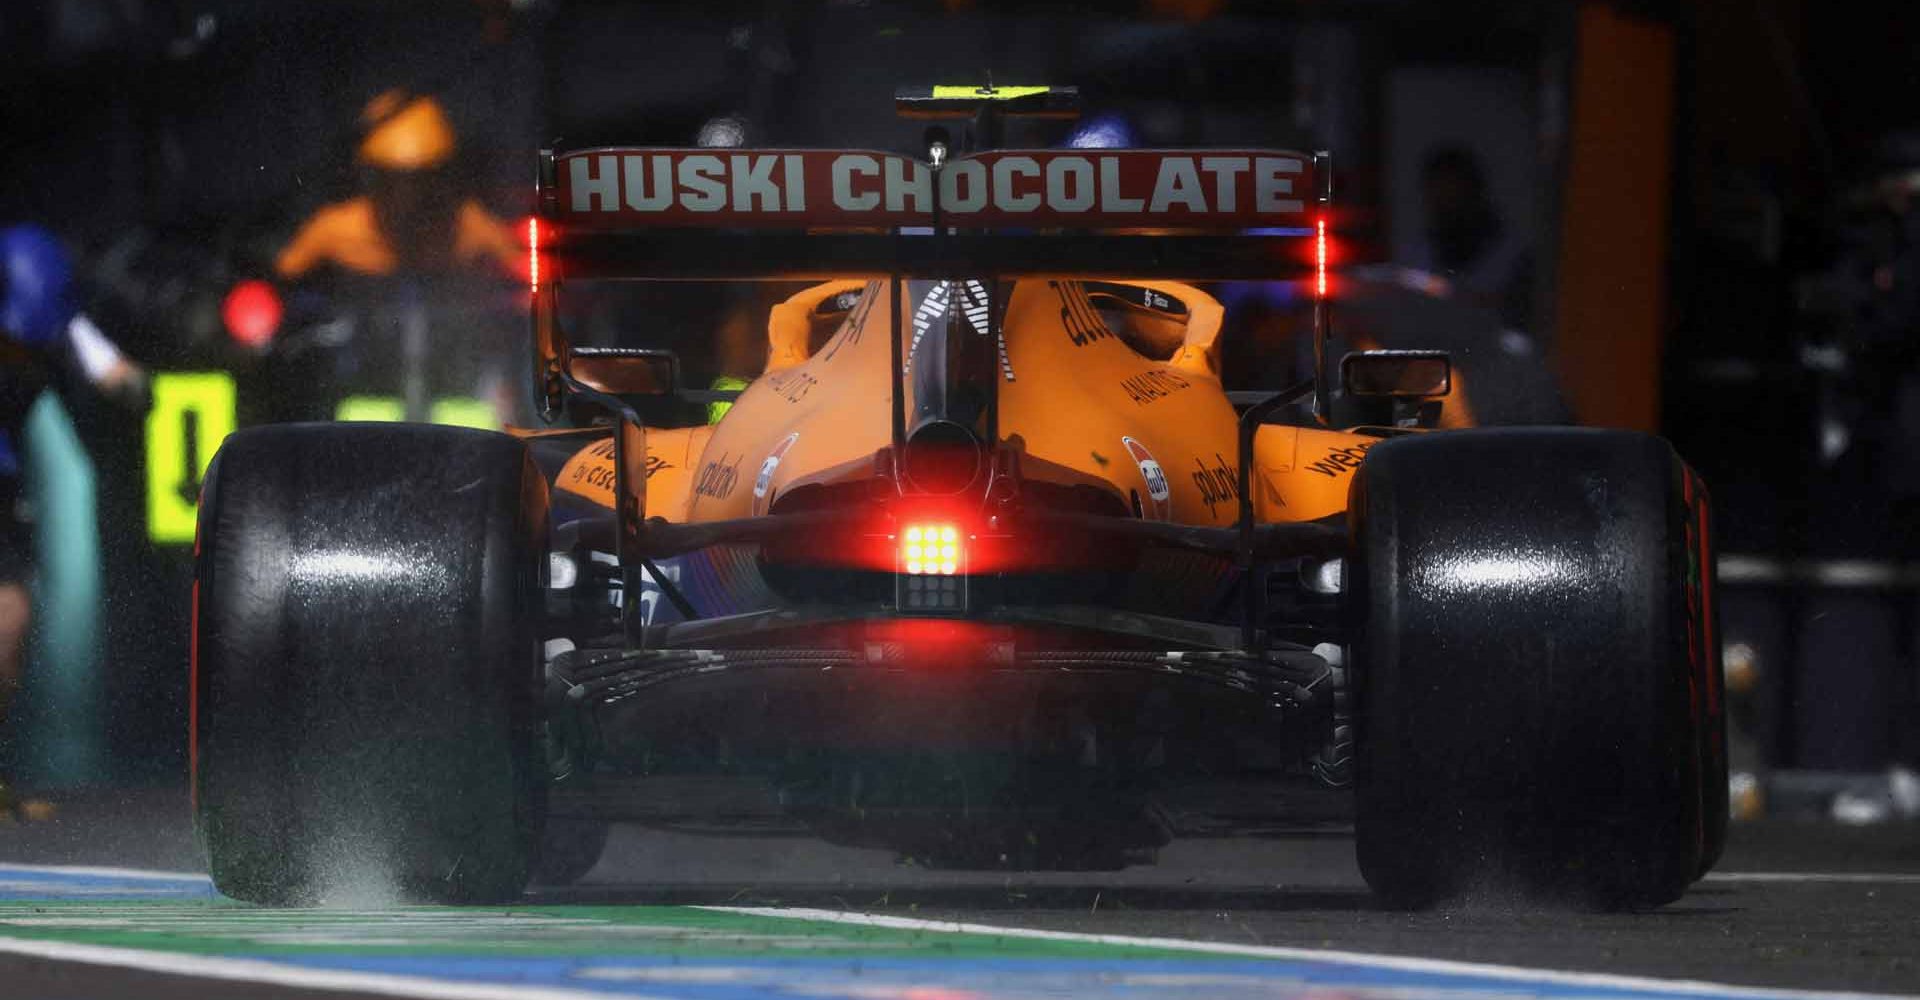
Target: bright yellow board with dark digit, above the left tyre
[[193, 414]]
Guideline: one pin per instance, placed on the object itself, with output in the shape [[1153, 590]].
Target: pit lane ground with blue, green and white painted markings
[[1794, 907]]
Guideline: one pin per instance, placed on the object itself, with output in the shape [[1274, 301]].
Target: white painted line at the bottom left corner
[[252, 970]]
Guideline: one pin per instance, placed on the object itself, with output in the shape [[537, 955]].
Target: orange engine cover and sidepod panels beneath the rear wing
[[1086, 408]]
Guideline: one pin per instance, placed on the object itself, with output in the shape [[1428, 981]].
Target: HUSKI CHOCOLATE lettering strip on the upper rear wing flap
[[873, 189]]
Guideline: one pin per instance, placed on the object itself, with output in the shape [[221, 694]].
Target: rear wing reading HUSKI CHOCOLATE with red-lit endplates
[[675, 214]]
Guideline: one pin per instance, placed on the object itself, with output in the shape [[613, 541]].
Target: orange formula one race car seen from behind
[[986, 567]]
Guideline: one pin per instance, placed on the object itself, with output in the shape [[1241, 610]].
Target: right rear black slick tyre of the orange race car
[[1529, 667]]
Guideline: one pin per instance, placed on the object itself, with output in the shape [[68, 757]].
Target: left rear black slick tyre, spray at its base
[[366, 665]]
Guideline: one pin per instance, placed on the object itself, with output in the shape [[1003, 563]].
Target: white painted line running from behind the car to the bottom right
[[1372, 961]]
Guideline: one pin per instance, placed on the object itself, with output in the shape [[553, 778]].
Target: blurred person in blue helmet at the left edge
[[41, 339]]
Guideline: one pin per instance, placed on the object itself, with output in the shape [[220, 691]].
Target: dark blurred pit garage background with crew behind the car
[[1689, 218]]
